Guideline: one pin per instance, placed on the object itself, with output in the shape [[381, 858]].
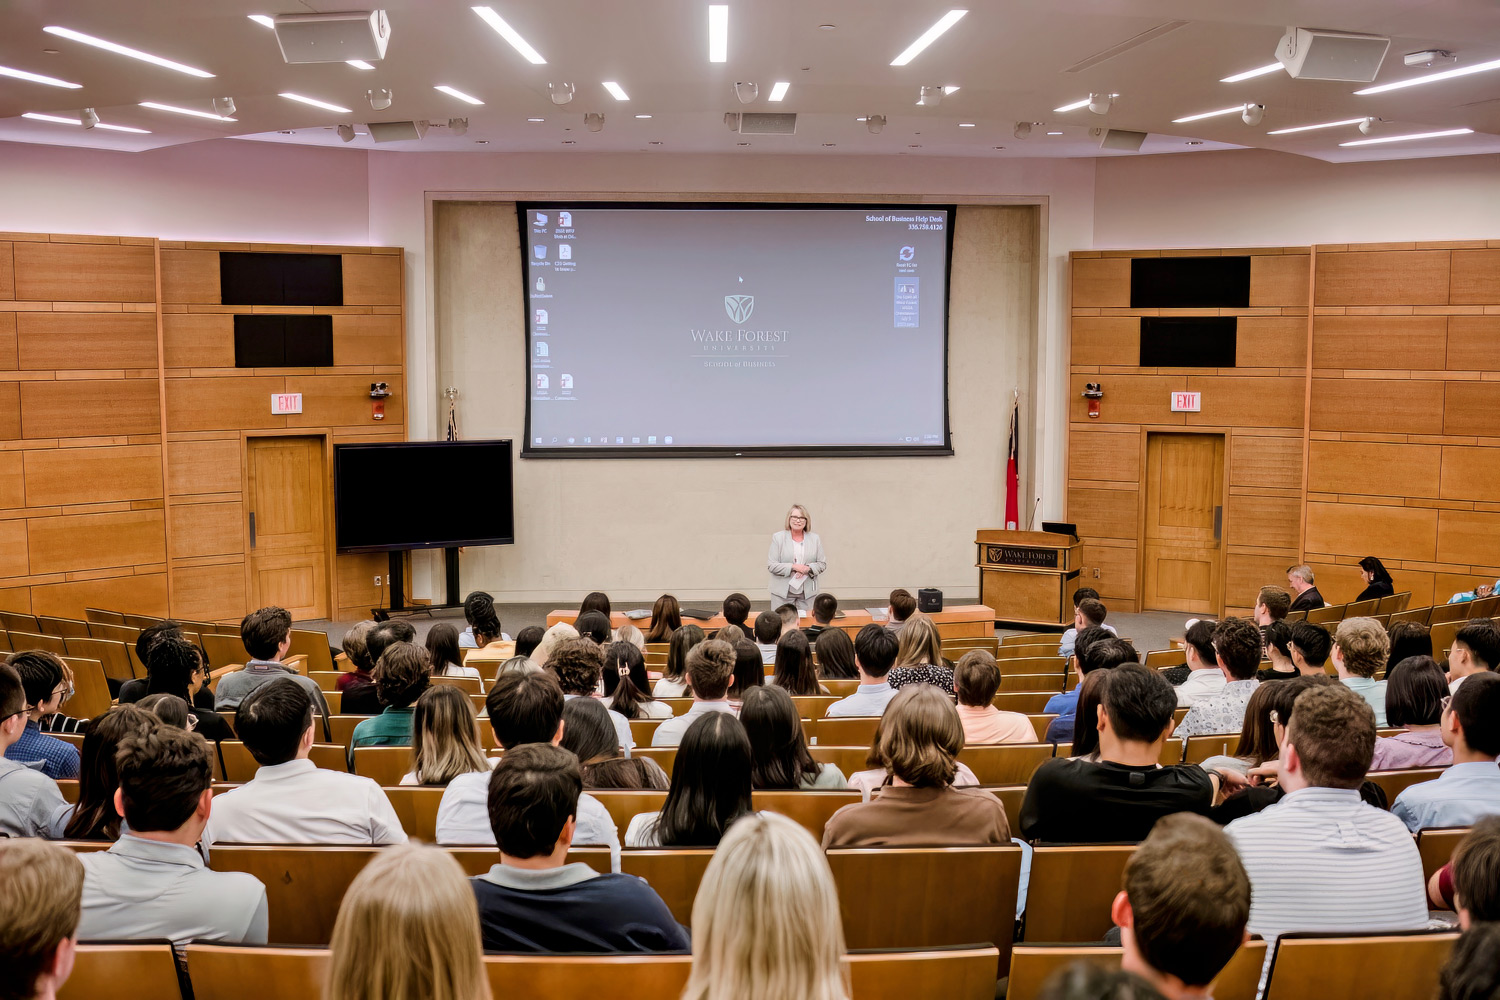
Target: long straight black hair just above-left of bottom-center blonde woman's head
[[710, 783]]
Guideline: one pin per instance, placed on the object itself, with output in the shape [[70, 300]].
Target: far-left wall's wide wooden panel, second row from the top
[[55, 341]]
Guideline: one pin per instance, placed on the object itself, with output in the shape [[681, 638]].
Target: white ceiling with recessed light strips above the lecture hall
[[1015, 61]]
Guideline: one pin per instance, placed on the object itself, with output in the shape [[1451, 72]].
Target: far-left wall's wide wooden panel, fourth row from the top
[[94, 476]]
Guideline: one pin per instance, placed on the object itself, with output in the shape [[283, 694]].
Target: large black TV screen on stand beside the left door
[[406, 496]]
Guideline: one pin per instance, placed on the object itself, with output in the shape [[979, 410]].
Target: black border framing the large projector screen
[[530, 451]]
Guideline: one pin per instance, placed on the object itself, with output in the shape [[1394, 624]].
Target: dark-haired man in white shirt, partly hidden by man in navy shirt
[[523, 708]]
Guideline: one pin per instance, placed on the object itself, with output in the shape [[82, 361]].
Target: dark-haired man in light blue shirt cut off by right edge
[[1468, 791]]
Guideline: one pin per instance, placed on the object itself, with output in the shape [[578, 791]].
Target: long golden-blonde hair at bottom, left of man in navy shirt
[[409, 930]]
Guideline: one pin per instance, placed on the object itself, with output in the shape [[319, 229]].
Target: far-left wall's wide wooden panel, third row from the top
[[91, 409]]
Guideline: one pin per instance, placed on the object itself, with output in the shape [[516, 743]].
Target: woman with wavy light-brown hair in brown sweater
[[919, 746]]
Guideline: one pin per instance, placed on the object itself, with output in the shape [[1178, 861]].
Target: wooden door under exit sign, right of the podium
[[1184, 543]]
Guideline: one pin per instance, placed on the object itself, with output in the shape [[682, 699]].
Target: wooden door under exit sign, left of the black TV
[[287, 493]]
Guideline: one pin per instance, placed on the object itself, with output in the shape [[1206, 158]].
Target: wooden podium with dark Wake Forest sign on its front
[[1028, 576]]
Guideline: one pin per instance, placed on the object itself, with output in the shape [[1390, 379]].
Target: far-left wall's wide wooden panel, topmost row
[[85, 272]]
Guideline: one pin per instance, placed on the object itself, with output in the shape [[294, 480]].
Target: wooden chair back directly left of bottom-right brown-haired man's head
[[1081, 885]]
